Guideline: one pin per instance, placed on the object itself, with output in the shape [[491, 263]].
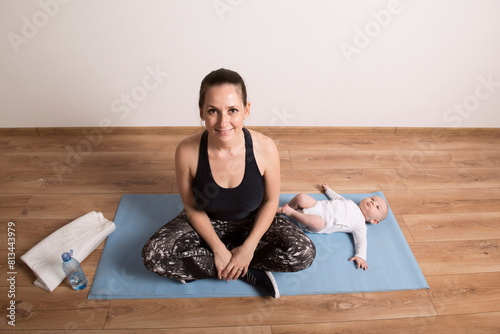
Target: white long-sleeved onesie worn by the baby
[[341, 215]]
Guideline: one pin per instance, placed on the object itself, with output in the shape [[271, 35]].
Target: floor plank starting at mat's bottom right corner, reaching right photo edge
[[468, 293]]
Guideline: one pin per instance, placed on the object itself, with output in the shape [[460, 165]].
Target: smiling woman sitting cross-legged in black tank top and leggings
[[229, 181]]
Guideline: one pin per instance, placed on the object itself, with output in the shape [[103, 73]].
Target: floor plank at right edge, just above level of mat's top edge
[[446, 178]]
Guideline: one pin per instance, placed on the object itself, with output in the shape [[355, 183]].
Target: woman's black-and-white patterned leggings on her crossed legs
[[177, 251]]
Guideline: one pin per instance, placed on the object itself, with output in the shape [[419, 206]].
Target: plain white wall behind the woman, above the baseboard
[[314, 63]]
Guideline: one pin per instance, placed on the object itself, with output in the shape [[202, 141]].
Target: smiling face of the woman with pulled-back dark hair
[[223, 111]]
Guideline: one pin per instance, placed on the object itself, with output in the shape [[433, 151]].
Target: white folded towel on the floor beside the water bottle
[[82, 235]]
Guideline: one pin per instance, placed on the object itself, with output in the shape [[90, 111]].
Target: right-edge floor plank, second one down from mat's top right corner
[[456, 226]]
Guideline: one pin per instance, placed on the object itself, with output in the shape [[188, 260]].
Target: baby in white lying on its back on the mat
[[338, 215]]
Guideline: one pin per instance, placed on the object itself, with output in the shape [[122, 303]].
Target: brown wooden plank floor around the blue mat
[[442, 185]]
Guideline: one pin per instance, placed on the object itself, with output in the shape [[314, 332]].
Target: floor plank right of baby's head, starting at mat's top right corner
[[435, 201]]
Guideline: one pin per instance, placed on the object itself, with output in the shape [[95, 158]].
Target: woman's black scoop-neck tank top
[[228, 203]]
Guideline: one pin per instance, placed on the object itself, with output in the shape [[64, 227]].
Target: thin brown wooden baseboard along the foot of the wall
[[186, 130]]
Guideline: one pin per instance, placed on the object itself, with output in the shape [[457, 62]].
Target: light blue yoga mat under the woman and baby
[[122, 275]]
